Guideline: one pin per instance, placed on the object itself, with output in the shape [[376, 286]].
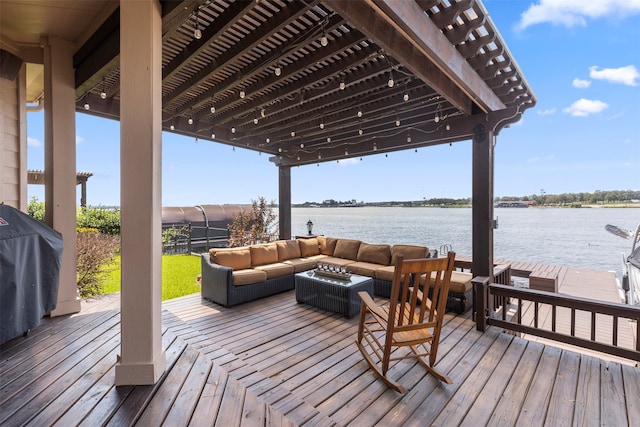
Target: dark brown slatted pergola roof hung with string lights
[[393, 75]]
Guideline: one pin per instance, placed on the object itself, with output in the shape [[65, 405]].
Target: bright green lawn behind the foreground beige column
[[179, 276]]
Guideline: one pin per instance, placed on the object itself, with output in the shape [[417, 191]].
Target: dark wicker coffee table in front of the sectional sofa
[[327, 293]]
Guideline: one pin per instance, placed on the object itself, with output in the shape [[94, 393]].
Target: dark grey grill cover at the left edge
[[30, 258]]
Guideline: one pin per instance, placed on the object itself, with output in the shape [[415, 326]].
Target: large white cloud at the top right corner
[[572, 13]]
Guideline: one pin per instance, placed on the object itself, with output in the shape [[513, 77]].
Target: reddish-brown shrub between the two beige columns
[[94, 251]]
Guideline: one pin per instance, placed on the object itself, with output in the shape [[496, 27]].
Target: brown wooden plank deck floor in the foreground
[[276, 362]]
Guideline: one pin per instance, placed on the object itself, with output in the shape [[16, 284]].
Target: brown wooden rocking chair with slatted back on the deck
[[411, 319]]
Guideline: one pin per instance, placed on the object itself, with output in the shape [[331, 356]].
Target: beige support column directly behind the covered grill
[[60, 162]]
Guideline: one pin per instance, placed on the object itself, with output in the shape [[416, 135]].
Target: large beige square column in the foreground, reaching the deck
[[142, 356]]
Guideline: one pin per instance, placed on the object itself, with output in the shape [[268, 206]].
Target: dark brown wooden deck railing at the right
[[592, 324]]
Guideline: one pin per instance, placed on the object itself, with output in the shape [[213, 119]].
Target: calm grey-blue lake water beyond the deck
[[569, 237]]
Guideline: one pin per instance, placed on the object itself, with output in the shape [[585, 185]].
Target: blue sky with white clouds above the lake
[[581, 58]]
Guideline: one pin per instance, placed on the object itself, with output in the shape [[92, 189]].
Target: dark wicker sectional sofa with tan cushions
[[231, 276]]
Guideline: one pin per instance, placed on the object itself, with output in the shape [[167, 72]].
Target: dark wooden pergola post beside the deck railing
[[482, 222]]
